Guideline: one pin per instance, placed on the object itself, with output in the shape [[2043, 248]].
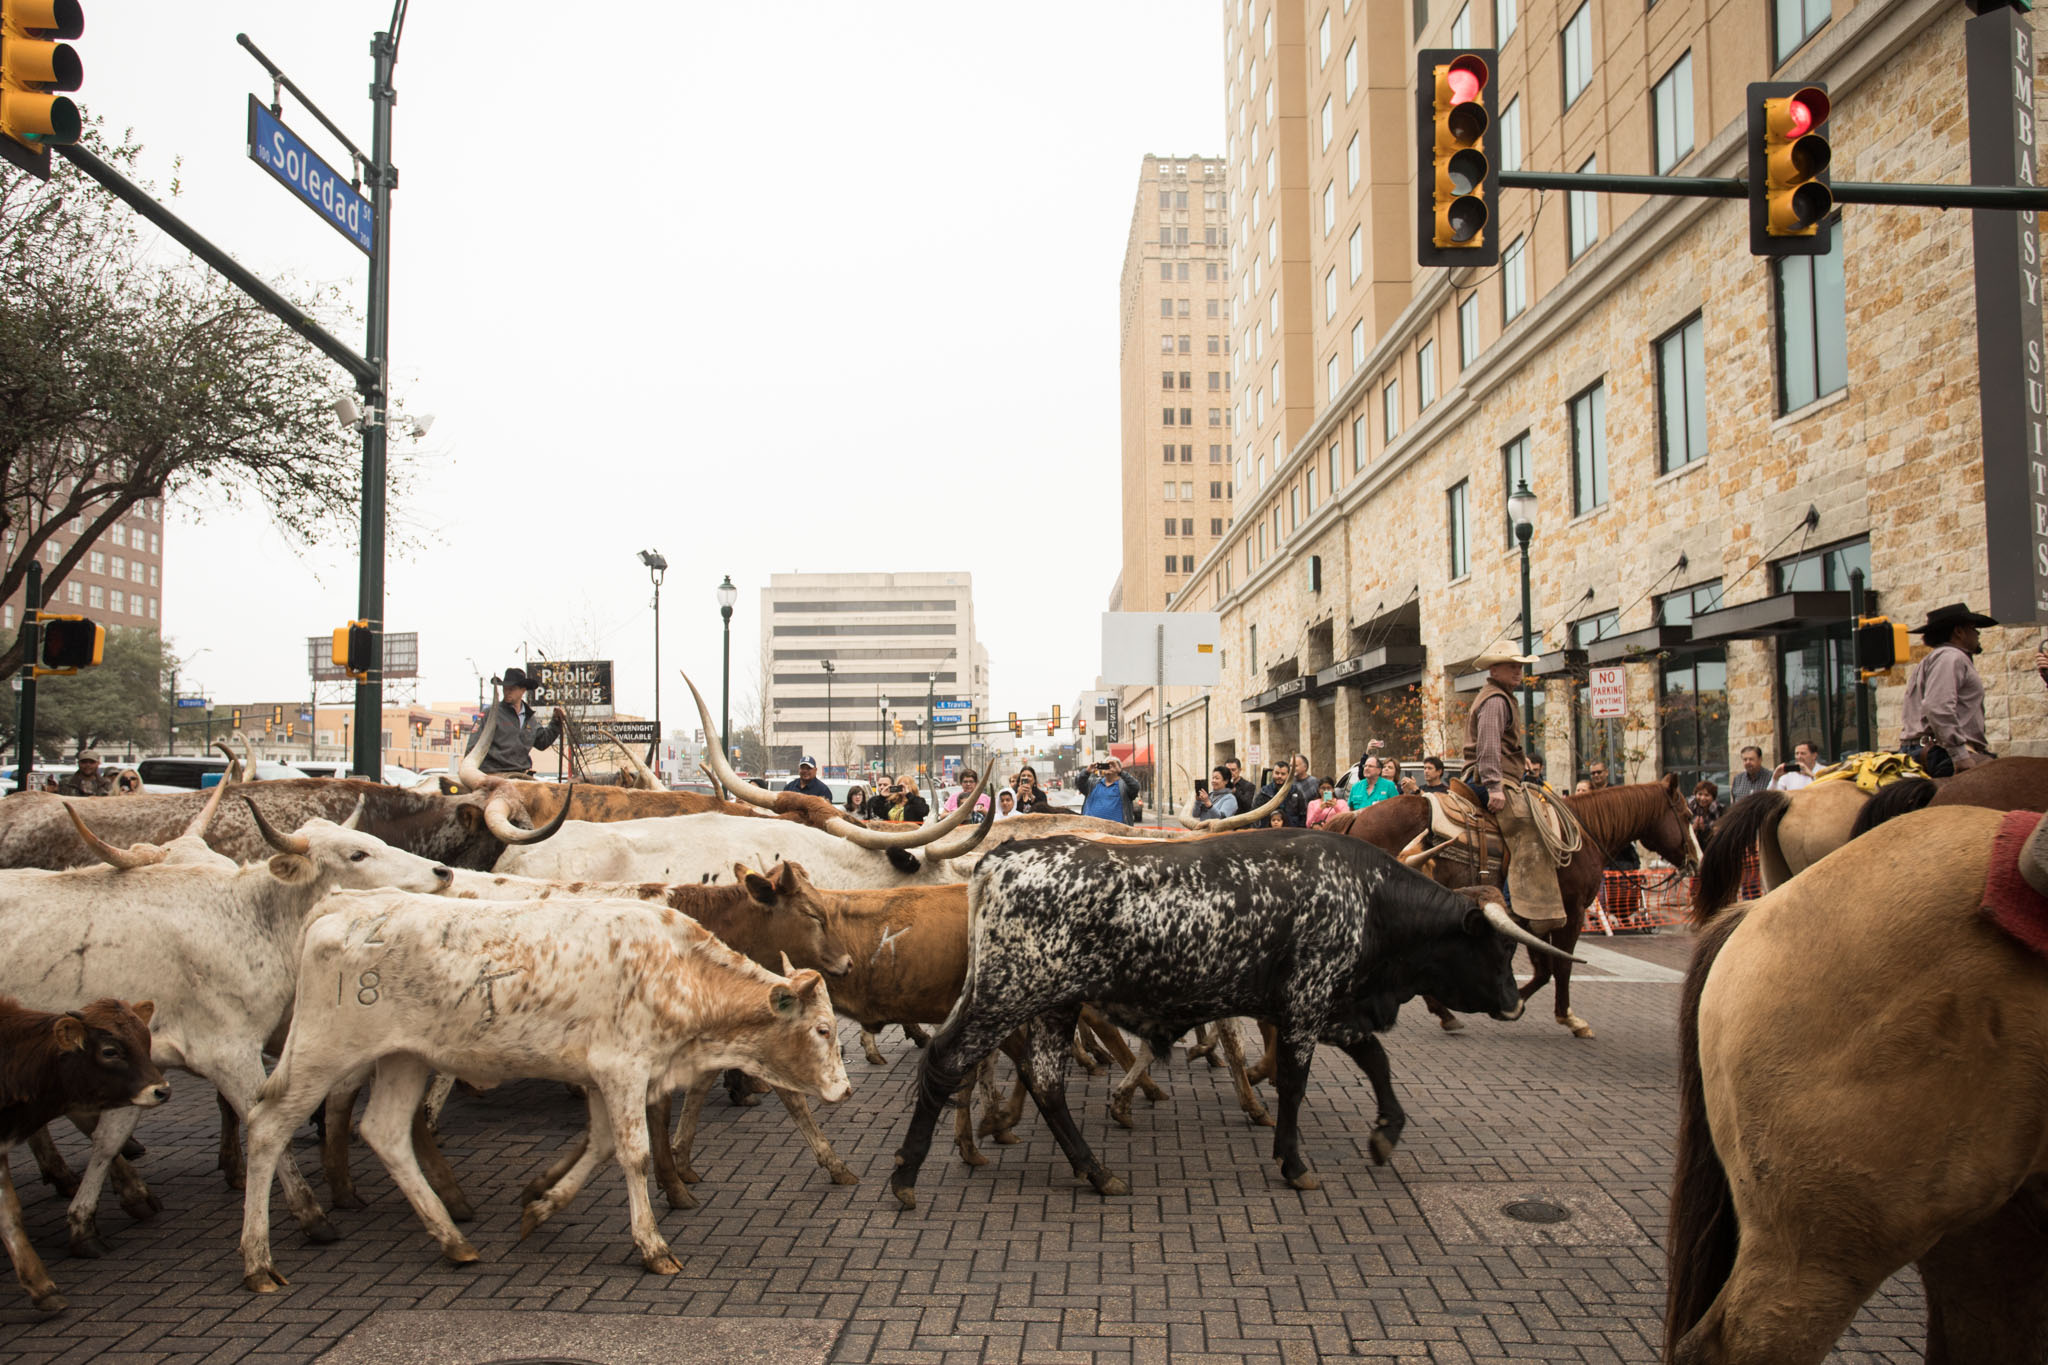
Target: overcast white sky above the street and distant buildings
[[798, 288]]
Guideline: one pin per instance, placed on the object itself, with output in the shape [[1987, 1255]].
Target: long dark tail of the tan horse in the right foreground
[[1701, 1229]]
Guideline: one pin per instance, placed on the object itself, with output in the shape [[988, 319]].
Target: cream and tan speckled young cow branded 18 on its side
[[628, 1000]]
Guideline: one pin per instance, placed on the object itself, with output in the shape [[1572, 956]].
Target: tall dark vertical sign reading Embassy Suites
[[2012, 371]]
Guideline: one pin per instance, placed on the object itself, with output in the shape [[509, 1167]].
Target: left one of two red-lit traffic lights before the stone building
[[1459, 179]]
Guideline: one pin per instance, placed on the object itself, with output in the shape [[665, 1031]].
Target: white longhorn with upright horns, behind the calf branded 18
[[218, 951]]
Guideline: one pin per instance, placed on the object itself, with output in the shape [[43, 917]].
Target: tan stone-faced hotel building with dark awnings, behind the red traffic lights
[[1717, 441]]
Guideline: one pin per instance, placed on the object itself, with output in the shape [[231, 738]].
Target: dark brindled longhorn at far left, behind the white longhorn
[[456, 832]]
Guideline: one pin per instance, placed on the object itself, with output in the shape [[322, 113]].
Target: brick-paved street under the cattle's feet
[[1211, 1258]]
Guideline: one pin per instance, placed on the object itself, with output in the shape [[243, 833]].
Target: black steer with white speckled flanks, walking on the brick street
[[1320, 936]]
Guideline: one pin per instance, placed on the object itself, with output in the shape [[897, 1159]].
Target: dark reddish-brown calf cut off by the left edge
[[87, 1059]]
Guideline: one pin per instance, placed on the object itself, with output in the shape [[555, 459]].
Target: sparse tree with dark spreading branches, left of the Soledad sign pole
[[132, 373]]
